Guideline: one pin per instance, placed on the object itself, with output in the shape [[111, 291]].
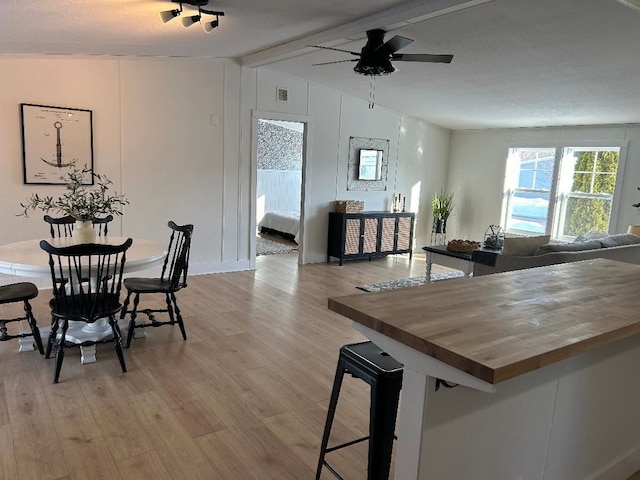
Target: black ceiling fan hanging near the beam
[[376, 56]]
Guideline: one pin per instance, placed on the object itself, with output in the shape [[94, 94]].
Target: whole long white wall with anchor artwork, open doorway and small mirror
[[175, 135]]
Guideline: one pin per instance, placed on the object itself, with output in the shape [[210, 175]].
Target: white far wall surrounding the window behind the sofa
[[477, 167]]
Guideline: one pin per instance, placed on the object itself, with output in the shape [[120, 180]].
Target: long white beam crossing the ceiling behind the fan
[[401, 16]]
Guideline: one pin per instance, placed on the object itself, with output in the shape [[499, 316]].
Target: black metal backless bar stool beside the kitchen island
[[384, 374]]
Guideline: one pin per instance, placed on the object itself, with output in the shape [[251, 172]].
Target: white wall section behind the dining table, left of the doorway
[[166, 132]]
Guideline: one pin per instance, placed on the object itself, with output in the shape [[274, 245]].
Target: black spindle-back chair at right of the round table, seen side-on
[[172, 278]]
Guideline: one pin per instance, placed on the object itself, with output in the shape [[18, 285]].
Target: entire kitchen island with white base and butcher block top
[[543, 364]]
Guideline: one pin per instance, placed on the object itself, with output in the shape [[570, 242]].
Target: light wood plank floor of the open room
[[243, 398]]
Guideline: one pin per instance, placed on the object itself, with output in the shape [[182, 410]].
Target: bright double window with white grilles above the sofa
[[561, 191]]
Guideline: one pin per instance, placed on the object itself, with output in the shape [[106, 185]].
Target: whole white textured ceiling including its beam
[[517, 63]]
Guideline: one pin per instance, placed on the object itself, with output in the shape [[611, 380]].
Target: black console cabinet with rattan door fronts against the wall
[[369, 234]]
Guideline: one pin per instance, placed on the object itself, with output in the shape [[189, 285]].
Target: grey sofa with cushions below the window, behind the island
[[528, 252]]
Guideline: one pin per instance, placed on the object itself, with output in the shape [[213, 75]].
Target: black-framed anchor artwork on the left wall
[[54, 139]]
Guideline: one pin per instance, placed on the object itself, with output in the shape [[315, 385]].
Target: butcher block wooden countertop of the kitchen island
[[497, 327]]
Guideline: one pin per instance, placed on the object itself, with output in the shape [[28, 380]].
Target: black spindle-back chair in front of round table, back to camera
[[96, 296]]
